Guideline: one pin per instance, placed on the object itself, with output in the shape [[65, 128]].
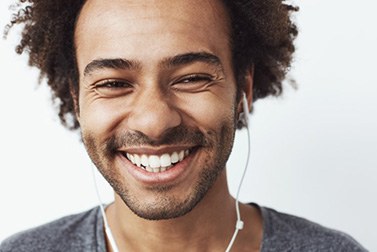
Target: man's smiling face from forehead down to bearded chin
[[156, 99]]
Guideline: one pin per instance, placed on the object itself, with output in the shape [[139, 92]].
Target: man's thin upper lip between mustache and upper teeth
[[155, 150]]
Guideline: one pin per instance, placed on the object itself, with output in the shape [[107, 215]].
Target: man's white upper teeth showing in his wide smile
[[154, 163]]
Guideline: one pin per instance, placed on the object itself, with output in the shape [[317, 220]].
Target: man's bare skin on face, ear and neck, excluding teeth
[[153, 98]]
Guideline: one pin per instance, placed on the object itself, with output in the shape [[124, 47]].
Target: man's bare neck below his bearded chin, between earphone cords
[[208, 227]]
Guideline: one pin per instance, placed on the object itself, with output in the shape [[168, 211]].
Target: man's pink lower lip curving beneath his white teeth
[[172, 175]]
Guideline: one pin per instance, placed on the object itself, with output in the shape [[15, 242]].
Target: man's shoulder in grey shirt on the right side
[[284, 232]]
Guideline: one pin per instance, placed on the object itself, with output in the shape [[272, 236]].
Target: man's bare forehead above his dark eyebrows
[[142, 28]]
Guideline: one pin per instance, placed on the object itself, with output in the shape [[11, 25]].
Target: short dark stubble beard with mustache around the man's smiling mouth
[[215, 146]]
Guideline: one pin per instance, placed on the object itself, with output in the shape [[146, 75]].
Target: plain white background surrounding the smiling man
[[314, 150]]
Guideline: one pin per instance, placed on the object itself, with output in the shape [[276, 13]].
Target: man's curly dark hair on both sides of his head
[[262, 36]]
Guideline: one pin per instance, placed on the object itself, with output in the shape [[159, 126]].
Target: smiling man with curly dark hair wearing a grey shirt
[[156, 89]]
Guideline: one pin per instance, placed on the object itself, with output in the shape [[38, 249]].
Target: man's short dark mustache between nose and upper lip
[[179, 135]]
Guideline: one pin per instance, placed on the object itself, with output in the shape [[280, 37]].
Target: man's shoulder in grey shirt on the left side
[[71, 233]]
